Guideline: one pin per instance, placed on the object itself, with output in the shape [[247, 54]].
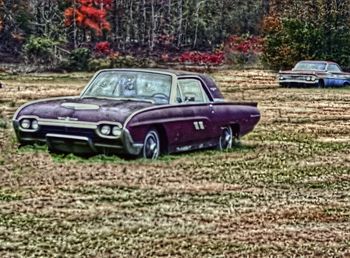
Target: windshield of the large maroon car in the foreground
[[131, 85]]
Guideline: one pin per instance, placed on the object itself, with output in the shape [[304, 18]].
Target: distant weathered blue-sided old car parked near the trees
[[314, 74]]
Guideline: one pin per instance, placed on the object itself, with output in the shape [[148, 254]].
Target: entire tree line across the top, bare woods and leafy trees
[[291, 29]]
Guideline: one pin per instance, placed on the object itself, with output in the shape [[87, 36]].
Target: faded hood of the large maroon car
[[87, 109]]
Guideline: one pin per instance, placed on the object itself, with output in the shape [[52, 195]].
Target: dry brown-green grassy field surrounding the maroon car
[[284, 192]]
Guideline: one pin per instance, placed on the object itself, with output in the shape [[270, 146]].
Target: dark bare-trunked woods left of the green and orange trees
[[192, 24]]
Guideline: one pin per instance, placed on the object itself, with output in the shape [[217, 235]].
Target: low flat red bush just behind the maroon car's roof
[[195, 57]]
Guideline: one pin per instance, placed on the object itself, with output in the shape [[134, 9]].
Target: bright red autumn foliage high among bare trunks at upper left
[[90, 14]]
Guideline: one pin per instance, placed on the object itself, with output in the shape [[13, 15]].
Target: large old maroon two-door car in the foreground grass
[[137, 112]]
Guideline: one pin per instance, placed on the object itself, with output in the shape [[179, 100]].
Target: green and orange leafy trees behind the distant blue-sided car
[[307, 29]]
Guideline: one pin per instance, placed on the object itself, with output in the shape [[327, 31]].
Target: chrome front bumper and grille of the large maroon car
[[78, 140]]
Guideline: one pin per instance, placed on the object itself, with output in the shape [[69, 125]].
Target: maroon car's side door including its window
[[195, 128]]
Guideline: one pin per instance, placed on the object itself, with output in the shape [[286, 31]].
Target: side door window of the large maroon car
[[191, 90]]
